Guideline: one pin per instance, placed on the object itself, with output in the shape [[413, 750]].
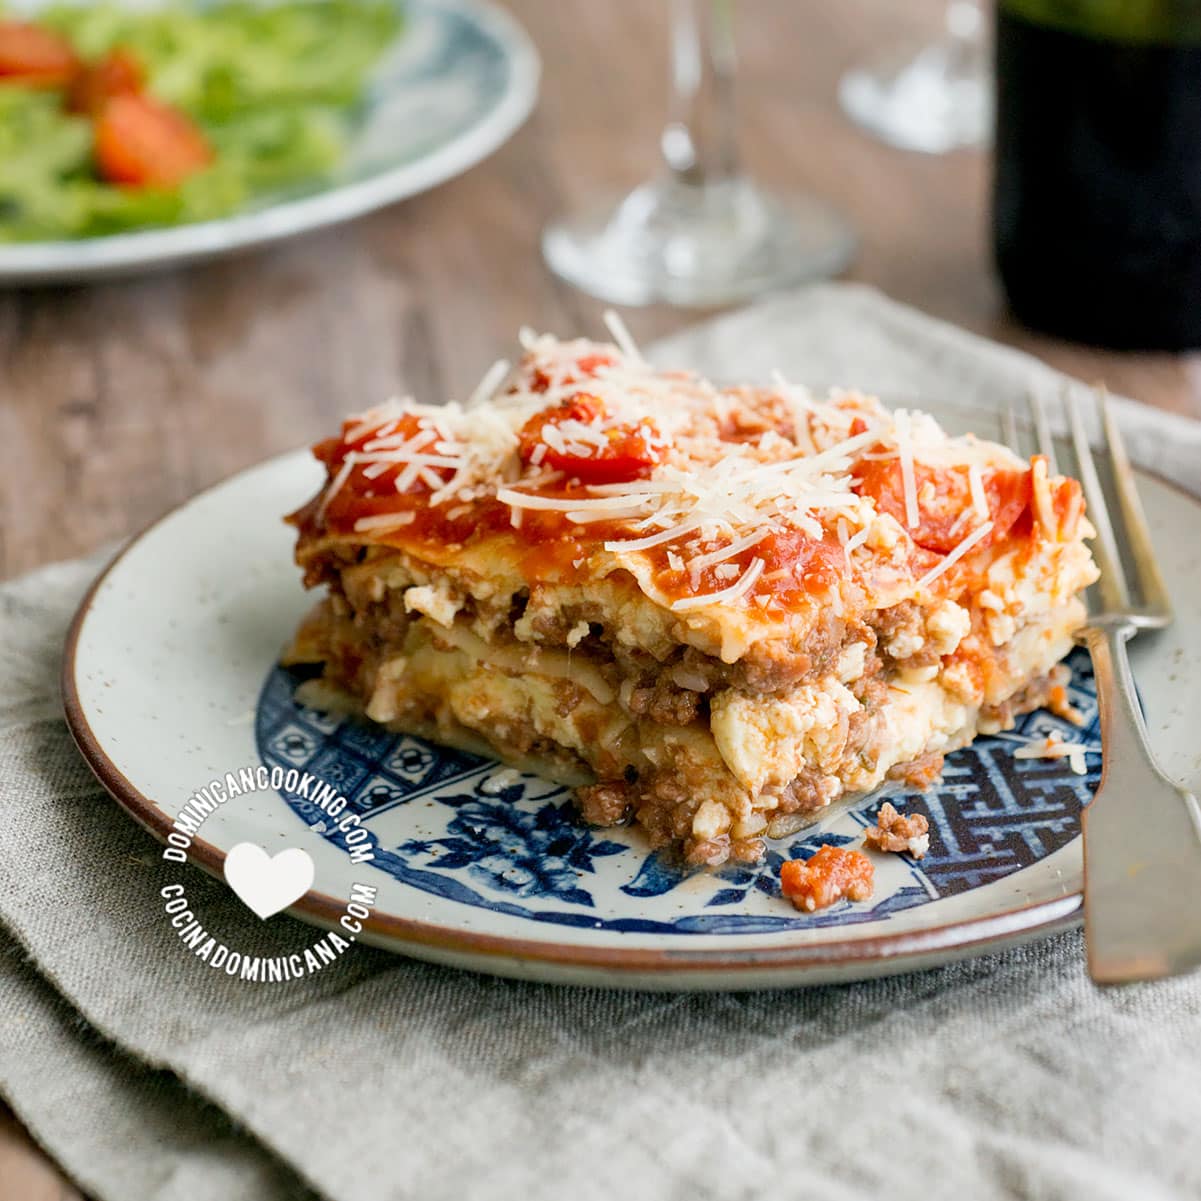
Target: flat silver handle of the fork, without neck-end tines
[[1143, 839]]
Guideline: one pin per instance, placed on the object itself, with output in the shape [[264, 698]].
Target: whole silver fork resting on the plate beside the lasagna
[[1143, 833]]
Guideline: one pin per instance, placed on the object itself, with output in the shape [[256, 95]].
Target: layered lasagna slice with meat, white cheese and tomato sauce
[[712, 611]]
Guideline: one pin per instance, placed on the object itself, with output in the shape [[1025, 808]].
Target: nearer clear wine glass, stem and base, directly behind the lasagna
[[701, 234]]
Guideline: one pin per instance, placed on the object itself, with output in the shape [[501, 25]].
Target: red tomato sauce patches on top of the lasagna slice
[[579, 440]]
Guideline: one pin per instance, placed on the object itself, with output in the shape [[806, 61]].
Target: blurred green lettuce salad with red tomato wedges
[[214, 107]]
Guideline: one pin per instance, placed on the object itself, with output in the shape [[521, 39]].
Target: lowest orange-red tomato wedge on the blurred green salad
[[145, 144]]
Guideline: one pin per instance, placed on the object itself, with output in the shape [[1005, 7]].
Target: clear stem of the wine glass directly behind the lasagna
[[700, 141]]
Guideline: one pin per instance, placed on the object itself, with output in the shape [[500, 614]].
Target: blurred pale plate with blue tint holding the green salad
[[459, 80]]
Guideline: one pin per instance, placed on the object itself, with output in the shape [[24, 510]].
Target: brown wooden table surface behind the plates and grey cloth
[[121, 401]]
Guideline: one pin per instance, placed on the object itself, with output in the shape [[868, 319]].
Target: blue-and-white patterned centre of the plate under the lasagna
[[464, 829]]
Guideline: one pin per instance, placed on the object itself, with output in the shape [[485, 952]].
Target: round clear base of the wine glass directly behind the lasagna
[[698, 247]]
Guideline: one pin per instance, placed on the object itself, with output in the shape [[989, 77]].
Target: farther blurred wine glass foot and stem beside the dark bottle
[[934, 100]]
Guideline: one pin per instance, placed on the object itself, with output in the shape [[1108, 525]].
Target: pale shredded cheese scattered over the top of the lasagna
[[730, 469]]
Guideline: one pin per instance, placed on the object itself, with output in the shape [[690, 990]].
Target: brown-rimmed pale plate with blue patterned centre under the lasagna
[[171, 682]]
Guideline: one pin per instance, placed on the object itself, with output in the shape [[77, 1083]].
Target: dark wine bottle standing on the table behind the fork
[[1097, 196]]
